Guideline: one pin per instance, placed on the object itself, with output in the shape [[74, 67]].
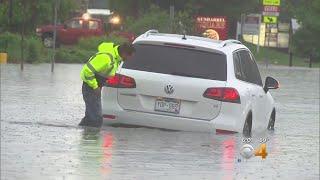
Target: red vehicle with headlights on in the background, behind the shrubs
[[74, 29]]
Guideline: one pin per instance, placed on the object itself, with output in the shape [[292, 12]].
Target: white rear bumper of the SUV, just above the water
[[224, 121]]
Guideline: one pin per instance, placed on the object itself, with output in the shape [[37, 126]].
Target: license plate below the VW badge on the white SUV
[[167, 105]]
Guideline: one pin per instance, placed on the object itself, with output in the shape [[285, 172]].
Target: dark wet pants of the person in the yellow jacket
[[93, 115]]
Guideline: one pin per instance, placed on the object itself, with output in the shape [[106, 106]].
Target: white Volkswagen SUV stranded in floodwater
[[189, 83]]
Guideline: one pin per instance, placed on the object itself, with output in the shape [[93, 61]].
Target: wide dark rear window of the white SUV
[[178, 61]]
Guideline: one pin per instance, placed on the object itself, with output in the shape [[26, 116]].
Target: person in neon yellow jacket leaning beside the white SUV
[[94, 75]]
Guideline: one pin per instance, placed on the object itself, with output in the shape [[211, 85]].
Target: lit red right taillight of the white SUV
[[223, 94]]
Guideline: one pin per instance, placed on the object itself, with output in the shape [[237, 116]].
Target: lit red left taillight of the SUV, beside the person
[[121, 81]]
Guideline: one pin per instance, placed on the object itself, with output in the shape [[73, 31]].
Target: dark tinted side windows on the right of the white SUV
[[249, 68]]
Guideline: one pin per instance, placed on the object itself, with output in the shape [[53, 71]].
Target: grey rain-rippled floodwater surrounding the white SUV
[[40, 138]]
